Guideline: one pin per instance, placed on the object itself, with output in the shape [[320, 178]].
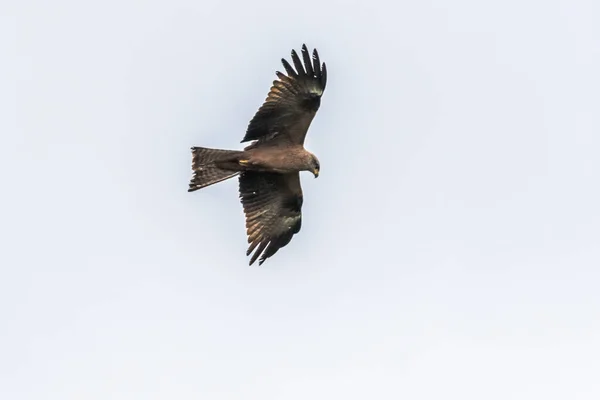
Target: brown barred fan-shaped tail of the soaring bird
[[210, 166]]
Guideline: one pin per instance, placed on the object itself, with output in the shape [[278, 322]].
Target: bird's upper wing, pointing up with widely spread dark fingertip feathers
[[292, 101]]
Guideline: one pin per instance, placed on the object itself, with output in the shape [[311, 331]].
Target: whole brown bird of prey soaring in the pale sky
[[269, 167]]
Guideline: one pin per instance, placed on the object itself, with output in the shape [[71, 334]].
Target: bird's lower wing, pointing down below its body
[[272, 204]]
